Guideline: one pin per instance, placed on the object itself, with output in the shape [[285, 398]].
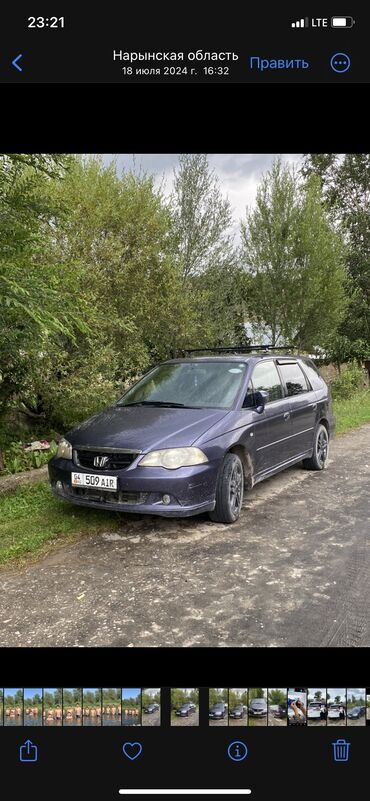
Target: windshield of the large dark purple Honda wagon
[[188, 384]]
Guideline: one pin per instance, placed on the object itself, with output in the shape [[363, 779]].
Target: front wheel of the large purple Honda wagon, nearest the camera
[[229, 490]]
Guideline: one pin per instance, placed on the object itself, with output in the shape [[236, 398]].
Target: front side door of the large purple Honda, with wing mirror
[[272, 428]]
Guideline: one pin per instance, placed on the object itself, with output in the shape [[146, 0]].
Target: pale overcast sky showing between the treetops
[[238, 173]]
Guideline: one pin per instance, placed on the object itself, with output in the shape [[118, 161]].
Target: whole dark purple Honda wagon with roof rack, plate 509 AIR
[[193, 433]]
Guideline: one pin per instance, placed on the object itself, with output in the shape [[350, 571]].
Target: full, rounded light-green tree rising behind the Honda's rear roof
[[293, 261]]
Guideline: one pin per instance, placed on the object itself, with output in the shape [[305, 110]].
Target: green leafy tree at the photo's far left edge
[[31, 285]]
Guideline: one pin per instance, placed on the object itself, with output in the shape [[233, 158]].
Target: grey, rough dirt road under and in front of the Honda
[[294, 571]]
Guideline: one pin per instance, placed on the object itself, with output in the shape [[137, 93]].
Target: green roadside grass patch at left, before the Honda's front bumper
[[32, 521]]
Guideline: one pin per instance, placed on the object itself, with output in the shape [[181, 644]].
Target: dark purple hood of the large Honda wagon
[[144, 427]]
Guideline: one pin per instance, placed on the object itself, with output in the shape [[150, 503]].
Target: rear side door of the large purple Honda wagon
[[303, 406]]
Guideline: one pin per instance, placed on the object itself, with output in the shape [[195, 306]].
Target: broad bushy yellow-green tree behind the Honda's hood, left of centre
[[116, 240]]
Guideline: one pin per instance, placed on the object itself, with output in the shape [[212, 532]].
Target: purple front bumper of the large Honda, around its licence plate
[[141, 489]]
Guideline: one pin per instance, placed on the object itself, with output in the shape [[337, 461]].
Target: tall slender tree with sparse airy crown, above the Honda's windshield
[[205, 253]]
